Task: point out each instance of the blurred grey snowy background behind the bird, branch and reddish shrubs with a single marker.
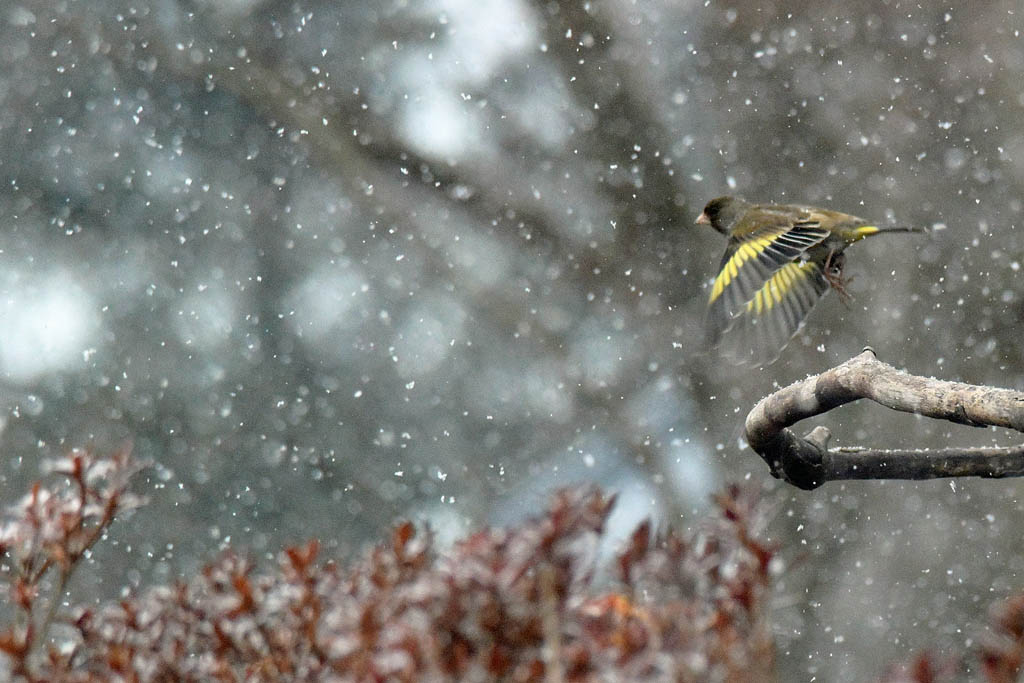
(334, 264)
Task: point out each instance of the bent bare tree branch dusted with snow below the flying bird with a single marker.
(808, 462)
